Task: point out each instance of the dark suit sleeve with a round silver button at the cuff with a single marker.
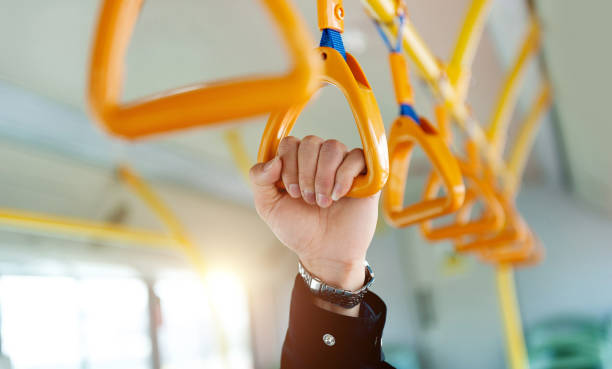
(356, 341)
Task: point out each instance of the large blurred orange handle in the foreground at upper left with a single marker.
(200, 104)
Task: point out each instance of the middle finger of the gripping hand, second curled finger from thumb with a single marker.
(308, 154)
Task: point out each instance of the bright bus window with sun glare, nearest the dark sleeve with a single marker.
(188, 333)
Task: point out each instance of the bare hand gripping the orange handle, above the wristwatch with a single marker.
(330, 233)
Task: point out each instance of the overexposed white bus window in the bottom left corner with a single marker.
(66, 323)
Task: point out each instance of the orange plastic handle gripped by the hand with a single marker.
(348, 76)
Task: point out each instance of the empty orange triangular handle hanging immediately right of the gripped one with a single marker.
(404, 135)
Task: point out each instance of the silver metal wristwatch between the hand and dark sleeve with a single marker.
(337, 296)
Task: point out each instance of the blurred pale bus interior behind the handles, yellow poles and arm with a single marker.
(69, 302)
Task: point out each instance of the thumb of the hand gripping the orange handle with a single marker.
(263, 178)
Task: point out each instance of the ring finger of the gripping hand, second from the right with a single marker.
(331, 154)
